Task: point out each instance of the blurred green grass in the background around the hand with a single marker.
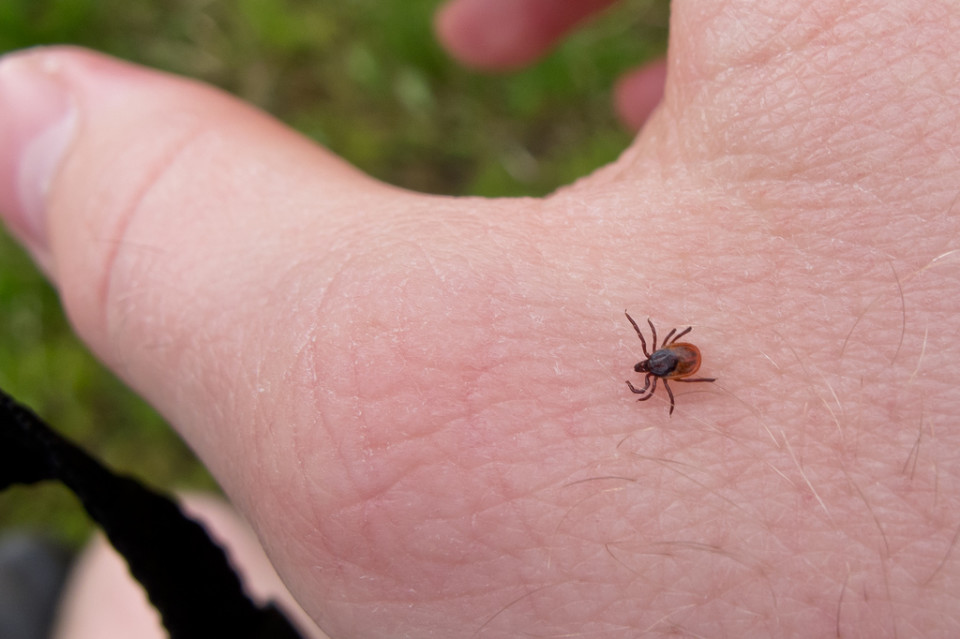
(366, 79)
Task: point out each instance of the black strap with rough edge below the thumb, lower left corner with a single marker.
(186, 575)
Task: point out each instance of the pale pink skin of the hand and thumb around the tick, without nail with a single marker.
(419, 402)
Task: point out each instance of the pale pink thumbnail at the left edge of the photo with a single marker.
(38, 117)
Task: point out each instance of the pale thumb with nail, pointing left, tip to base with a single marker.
(170, 217)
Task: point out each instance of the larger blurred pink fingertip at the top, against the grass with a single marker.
(505, 34)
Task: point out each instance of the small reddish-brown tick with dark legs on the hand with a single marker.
(674, 360)
